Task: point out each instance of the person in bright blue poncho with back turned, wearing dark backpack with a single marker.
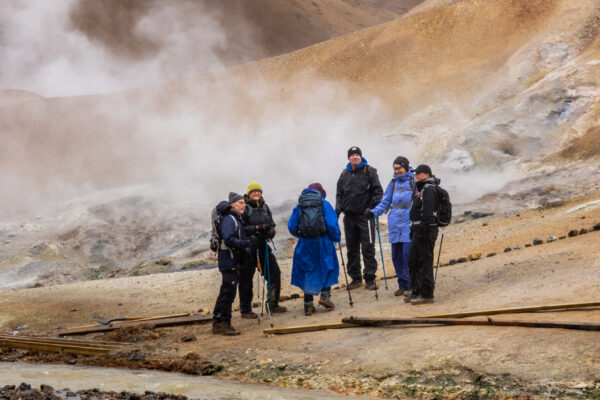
(315, 267)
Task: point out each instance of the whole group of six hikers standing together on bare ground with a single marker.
(245, 226)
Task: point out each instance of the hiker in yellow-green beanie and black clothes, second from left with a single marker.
(258, 223)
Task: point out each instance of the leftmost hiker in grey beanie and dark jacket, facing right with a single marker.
(232, 255)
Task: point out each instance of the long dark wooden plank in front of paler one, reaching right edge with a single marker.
(365, 321)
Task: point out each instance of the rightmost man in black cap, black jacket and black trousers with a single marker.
(423, 234)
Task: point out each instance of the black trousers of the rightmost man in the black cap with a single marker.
(420, 259)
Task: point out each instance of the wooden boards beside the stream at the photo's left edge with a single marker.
(55, 345)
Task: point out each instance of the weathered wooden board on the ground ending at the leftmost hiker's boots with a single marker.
(151, 323)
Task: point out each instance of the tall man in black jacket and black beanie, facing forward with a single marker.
(359, 190)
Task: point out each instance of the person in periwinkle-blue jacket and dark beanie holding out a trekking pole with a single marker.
(398, 200)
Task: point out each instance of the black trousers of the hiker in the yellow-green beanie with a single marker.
(247, 277)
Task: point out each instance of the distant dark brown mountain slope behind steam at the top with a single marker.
(254, 29)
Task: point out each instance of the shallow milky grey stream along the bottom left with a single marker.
(111, 379)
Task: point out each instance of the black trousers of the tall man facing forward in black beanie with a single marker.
(356, 229)
